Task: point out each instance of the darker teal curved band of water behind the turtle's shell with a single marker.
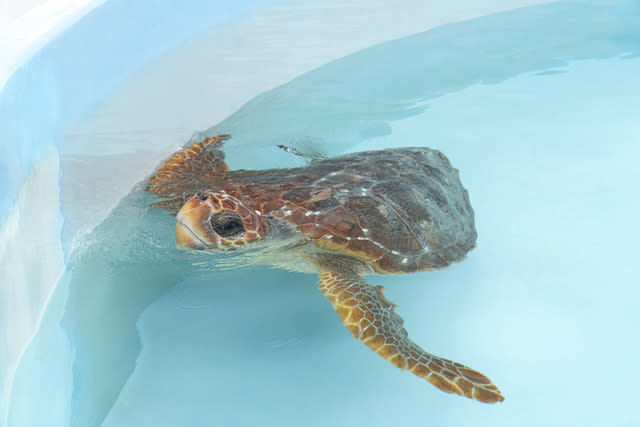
(357, 97)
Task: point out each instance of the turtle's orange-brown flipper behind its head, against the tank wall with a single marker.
(188, 171)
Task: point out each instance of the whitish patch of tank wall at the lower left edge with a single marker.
(38, 222)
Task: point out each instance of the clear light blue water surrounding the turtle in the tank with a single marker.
(538, 108)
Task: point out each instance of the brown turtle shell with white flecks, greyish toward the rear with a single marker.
(400, 210)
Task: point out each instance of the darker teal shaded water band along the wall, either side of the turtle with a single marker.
(130, 259)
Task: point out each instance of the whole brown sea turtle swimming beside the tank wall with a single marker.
(390, 211)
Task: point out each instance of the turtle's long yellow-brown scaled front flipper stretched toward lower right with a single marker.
(371, 318)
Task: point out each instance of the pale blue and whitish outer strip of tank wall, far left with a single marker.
(43, 97)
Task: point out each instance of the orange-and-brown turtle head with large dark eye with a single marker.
(215, 220)
